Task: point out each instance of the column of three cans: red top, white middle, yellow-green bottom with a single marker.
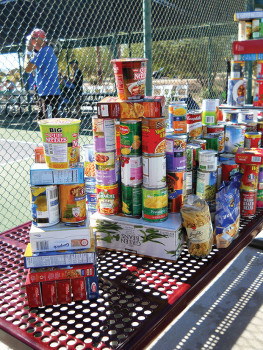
(154, 190)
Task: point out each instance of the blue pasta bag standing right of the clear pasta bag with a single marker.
(227, 212)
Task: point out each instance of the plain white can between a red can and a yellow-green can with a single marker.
(154, 170)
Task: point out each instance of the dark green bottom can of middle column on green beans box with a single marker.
(131, 200)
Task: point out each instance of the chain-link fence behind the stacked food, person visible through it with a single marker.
(191, 41)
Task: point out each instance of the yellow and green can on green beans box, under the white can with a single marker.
(155, 204)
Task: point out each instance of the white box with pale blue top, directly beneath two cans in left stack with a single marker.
(61, 237)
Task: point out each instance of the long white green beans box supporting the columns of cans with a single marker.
(160, 240)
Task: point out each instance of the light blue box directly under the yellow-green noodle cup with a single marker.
(40, 174)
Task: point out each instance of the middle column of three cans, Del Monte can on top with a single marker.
(131, 166)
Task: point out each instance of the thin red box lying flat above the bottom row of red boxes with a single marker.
(60, 273)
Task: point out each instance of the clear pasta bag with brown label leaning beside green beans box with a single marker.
(197, 222)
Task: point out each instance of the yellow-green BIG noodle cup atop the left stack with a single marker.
(60, 140)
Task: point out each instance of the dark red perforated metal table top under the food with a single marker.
(139, 296)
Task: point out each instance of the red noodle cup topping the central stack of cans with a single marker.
(130, 76)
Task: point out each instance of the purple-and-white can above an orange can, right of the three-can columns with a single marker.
(176, 152)
